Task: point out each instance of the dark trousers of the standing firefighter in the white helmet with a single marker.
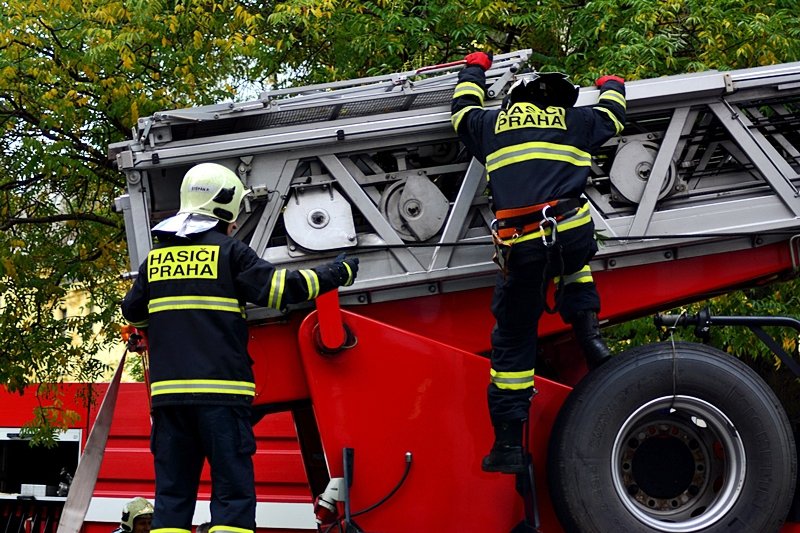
(183, 436)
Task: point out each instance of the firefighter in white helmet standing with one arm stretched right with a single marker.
(190, 296)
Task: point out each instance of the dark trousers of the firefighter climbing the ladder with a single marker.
(518, 304)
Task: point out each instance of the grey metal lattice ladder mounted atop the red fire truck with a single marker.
(373, 165)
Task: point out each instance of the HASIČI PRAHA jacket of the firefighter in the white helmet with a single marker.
(190, 294)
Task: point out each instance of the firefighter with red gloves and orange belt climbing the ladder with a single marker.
(537, 150)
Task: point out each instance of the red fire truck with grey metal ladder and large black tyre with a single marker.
(372, 399)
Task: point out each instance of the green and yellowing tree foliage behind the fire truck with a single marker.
(76, 76)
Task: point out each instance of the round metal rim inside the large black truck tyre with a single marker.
(678, 464)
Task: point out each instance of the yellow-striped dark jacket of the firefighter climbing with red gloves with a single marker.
(533, 154)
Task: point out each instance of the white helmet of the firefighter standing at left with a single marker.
(211, 189)
